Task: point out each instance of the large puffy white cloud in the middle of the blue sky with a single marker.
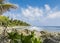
(32, 12)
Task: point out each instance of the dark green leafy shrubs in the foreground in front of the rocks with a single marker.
(15, 37)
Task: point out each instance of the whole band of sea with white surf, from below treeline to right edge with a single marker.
(41, 28)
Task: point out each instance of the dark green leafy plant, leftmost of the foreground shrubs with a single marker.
(13, 36)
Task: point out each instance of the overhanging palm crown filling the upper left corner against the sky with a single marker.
(4, 7)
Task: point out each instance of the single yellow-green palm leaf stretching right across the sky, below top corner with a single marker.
(6, 7)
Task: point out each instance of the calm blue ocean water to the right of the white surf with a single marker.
(50, 28)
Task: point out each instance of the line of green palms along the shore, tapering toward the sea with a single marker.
(5, 21)
